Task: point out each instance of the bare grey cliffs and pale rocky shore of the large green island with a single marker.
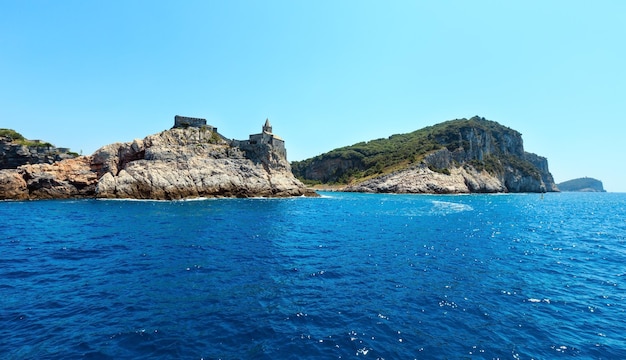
(486, 162)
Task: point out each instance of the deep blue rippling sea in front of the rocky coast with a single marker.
(343, 276)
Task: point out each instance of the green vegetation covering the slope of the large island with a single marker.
(373, 158)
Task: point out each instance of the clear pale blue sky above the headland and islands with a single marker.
(83, 74)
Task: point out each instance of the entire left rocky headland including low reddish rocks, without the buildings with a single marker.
(174, 164)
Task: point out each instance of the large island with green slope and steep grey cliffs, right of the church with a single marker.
(458, 156)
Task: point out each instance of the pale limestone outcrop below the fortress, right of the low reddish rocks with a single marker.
(182, 163)
